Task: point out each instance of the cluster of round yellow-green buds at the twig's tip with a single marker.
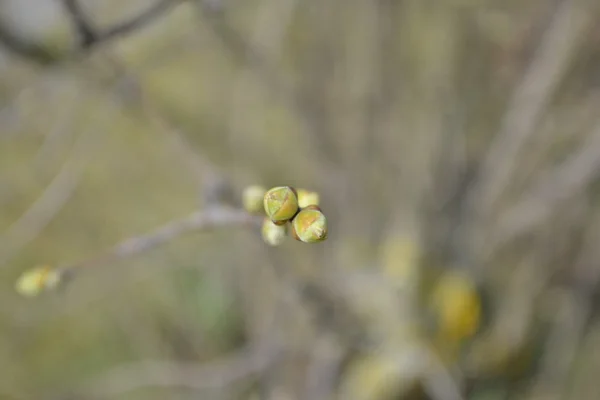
(287, 210)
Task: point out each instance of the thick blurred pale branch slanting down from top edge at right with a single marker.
(530, 98)
